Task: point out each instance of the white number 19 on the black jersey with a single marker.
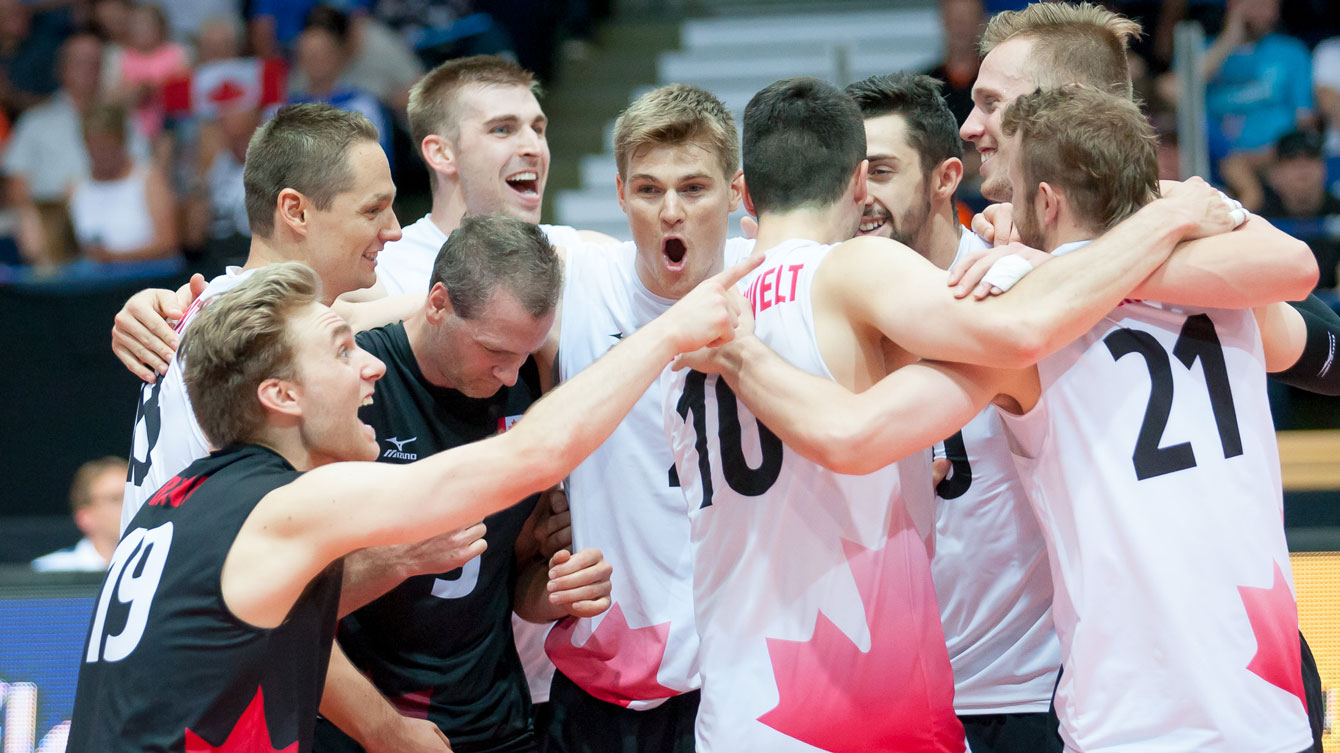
(137, 566)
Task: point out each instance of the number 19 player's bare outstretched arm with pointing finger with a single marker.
(298, 530)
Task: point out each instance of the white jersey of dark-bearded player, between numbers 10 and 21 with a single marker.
(991, 571)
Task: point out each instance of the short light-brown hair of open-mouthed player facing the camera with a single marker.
(677, 115)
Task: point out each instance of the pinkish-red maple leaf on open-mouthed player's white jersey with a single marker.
(617, 664)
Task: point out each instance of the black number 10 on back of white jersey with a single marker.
(730, 447)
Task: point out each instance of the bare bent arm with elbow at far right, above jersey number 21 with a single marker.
(1254, 266)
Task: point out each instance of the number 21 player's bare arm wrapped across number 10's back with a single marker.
(908, 411)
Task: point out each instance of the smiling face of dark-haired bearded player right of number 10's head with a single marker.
(898, 200)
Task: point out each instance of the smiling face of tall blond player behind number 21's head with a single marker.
(1002, 80)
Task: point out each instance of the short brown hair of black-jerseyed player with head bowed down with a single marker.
(492, 253)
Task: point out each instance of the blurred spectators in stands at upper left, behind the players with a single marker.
(124, 124)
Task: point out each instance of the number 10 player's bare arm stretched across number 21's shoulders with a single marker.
(907, 298)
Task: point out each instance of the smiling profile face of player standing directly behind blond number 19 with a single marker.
(345, 238)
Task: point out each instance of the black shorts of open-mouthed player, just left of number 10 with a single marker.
(578, 723)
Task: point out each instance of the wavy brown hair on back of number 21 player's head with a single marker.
(1097, 147)
